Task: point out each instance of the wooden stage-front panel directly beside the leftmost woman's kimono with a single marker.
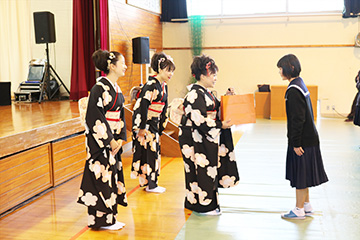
(69, 156)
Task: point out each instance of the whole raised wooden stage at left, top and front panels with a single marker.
(42, 145)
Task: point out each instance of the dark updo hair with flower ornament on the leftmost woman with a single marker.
(103, 58)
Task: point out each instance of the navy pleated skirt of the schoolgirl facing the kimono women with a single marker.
(307, 170)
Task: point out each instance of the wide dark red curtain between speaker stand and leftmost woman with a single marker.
(83, 69)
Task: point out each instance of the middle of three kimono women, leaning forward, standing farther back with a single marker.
(149, 120)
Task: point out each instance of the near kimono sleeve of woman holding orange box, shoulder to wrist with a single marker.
(196, 111)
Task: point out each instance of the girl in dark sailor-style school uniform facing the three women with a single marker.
(304, 165)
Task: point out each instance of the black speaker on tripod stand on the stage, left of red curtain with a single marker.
(44, 25)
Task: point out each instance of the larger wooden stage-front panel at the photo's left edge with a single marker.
(24, 175)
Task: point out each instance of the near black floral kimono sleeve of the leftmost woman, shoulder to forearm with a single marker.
(95, 120)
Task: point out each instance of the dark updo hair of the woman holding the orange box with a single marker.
(204, 65)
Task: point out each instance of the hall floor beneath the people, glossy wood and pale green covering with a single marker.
(250, 211)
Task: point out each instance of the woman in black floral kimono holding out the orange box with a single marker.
(205, 142)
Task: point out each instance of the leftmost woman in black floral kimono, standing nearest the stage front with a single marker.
(102, 187)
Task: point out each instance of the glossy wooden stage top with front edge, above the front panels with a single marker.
(26, 125)
